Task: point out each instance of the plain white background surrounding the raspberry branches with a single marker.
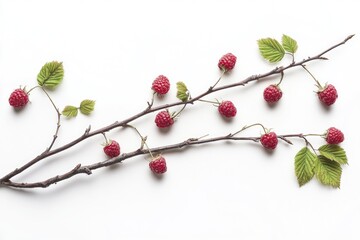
(112, 51)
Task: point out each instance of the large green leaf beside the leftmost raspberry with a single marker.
(51, 74)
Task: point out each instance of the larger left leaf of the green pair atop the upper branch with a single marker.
(271, 49)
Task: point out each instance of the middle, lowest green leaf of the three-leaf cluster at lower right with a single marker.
(328, 172)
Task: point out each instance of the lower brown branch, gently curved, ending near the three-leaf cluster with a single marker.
(78, 169)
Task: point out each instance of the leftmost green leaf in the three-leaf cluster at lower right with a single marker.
(304, 165)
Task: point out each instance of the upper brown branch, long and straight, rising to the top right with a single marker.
(150, 109)
